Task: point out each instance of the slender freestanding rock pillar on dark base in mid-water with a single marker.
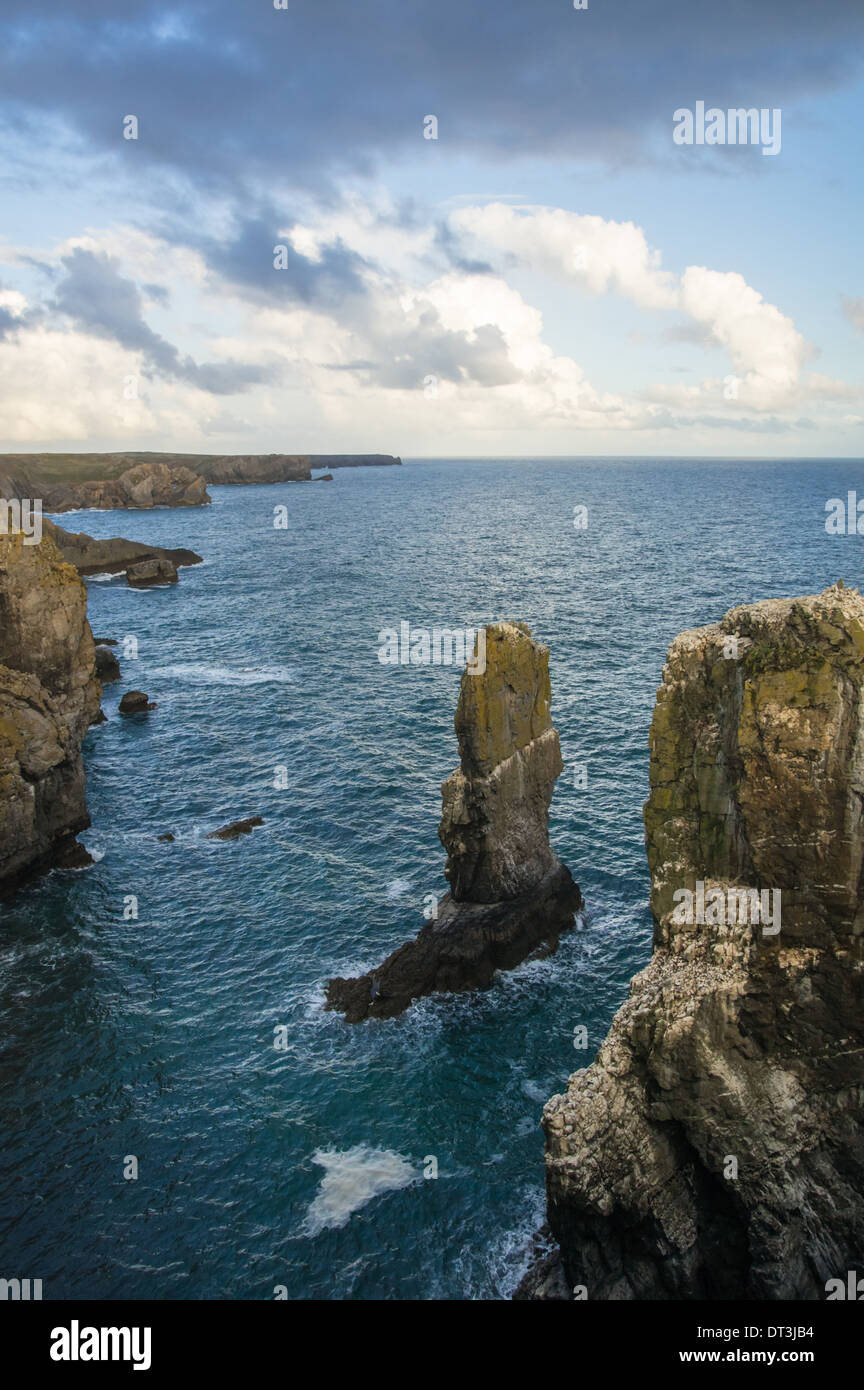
(510, 896)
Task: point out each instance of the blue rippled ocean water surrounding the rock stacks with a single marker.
(155, 1038)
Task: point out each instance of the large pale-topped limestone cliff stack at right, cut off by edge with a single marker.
(716, 1146)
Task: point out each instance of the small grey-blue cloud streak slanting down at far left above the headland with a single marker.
(103, 302)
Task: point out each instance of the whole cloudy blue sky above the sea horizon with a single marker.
(452, 229)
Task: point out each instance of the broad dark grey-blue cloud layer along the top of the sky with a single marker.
(235, 94)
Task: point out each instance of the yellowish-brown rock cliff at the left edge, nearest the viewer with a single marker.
(49, 697)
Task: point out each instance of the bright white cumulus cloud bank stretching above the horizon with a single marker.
(440, 351)
